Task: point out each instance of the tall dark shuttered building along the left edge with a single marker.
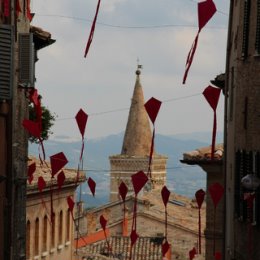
(16, 58)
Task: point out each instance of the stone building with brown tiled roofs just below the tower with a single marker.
(182, 228)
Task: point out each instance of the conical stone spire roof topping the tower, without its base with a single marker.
(138, 135)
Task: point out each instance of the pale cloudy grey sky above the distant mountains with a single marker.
(156, 33)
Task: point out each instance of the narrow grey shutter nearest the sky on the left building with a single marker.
(27, 61)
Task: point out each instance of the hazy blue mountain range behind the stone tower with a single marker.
(181, 178)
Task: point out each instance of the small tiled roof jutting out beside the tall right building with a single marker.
(203, 155)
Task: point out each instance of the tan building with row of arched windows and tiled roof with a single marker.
(48, 238)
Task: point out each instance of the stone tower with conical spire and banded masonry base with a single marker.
(135, 152)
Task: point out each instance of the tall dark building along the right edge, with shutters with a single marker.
(242, 132)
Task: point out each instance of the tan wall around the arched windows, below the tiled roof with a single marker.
(38, 206)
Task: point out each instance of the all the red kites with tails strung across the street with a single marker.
(206, 10)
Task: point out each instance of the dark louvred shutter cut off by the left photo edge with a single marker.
(6, 54)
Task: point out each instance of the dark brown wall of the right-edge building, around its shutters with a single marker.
(243, 123)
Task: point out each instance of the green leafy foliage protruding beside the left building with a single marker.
(47, 122)
